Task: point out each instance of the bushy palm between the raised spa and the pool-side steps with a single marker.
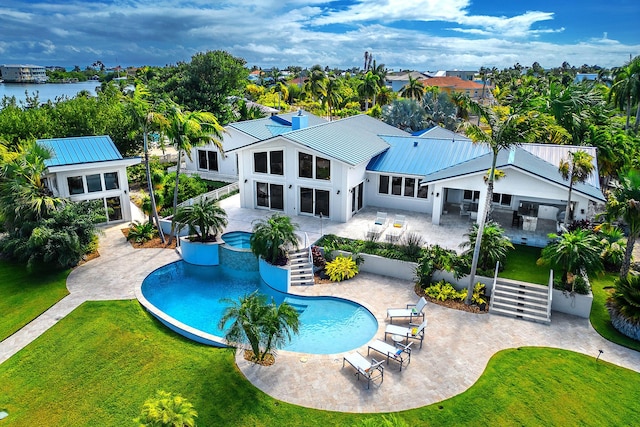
(272, 237)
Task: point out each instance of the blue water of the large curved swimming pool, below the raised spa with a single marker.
(192, 294)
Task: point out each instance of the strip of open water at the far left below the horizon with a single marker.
(47, 91)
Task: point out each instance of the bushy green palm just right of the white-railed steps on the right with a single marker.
(572, 252)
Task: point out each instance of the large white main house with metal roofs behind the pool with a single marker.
(334, 169)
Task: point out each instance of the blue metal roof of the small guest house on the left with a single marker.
(78, 150)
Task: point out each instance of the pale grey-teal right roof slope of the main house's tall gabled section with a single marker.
(352, 140)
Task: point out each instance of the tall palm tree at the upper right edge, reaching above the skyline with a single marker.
(626, 88)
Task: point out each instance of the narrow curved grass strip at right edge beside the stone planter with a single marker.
(600, 320)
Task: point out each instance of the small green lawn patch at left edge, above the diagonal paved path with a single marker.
(24, 296)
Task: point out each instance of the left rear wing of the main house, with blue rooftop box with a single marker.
(209, 163)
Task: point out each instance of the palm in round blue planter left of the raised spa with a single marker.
(205, 220)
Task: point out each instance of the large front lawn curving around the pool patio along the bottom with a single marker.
(98, 365)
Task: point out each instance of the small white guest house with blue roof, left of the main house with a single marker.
(90, 168)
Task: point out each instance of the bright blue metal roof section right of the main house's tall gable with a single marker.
(417, 155)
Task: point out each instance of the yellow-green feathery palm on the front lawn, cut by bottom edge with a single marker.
(167, 410)
